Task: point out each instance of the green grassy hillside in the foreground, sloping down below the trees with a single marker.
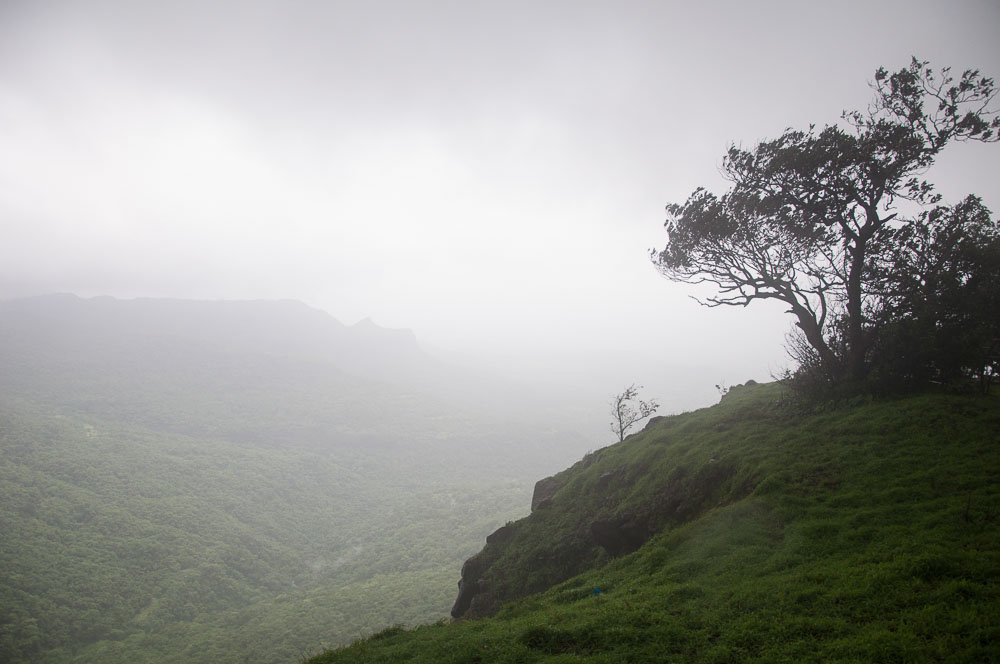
(871, 534)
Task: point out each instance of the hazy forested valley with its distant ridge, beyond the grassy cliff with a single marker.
(207, 482)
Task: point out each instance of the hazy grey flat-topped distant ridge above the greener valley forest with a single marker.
(184, 366)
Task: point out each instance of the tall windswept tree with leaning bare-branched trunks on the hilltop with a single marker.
(812, 216)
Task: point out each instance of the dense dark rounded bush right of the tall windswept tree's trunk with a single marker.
(940, 315)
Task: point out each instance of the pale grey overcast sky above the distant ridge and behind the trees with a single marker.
(488, 174)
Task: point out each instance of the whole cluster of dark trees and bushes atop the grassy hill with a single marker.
(890, 289)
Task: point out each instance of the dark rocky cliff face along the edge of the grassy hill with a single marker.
(604, 506)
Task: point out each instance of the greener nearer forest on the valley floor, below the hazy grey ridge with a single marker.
(122, 544)
